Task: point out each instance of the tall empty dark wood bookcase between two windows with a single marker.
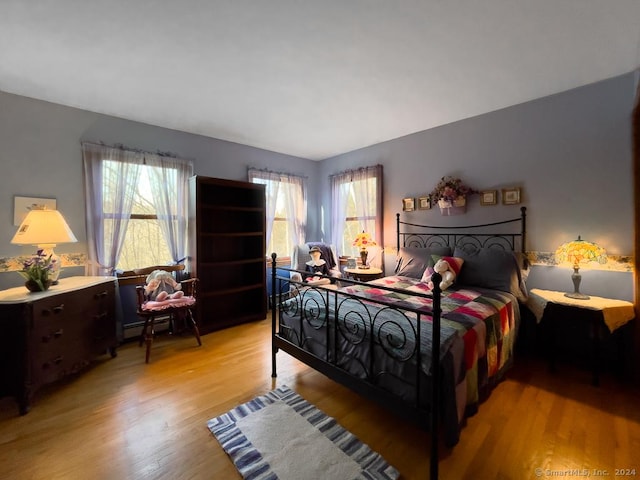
(227, 235)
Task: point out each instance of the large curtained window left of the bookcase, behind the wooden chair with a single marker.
(136, 208)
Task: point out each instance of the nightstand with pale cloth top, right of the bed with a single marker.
(597, 317)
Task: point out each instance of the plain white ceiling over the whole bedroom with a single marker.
(310, 78)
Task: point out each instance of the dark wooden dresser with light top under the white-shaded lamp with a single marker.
(46, 336)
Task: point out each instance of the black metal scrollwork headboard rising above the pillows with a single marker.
(465, 237)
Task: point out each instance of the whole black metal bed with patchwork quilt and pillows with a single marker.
(376, 337)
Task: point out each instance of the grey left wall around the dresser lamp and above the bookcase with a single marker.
(40, 153)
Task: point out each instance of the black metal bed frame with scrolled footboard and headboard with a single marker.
(408, 235)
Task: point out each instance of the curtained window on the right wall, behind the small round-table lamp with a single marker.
(356, 207)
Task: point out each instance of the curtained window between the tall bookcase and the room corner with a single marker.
(286, 210)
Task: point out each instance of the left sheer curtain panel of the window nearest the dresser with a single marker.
(115, 197)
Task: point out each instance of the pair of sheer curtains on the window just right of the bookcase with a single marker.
(295, 196)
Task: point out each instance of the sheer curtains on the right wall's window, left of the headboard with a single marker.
(368, 201)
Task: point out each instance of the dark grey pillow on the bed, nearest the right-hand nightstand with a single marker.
(496, 269)
